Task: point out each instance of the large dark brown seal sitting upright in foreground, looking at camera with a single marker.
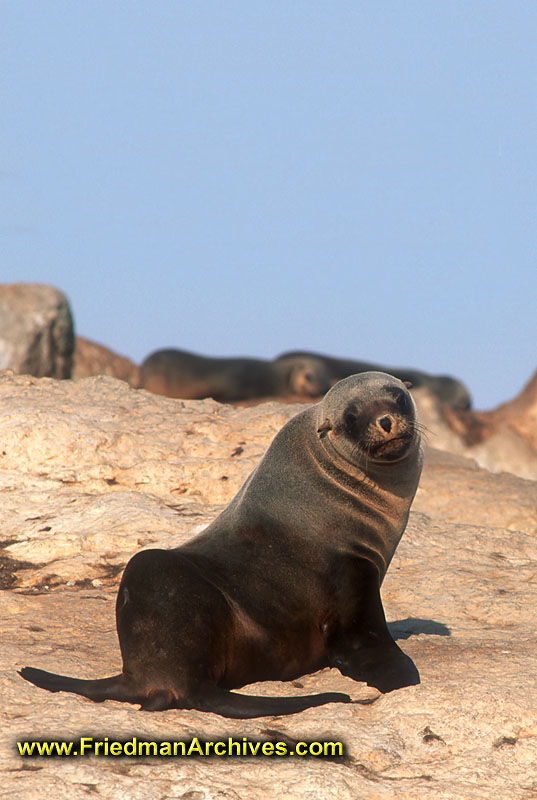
(287, 579)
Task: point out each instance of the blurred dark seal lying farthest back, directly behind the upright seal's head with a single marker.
(448, 390)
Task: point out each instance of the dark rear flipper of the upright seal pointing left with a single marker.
(117, 687)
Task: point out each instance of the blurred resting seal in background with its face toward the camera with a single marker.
(178, 373)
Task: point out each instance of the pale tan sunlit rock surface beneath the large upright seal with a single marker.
(91, 471)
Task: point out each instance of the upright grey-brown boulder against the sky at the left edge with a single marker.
(36, 330)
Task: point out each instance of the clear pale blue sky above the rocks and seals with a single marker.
(243, 178)
